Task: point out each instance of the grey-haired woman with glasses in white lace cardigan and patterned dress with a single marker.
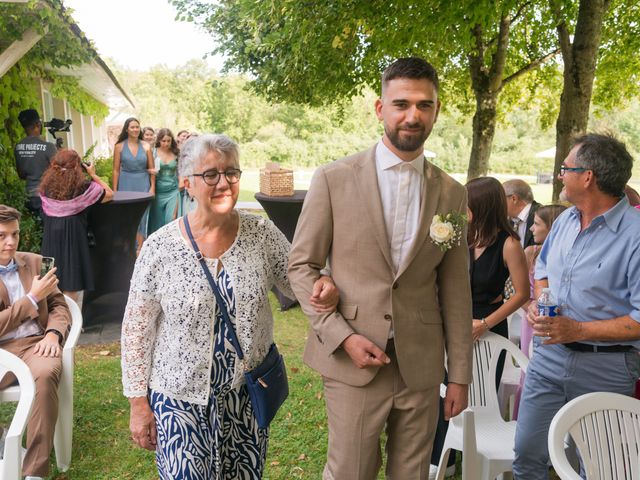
(180, 370)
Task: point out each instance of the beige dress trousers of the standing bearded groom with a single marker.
(358, 415)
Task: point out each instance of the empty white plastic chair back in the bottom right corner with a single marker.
(606, 430)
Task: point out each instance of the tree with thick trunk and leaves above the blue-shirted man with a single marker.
(599, 41)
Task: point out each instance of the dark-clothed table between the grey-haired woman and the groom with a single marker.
(284, 213)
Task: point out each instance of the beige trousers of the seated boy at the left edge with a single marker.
(46, 374)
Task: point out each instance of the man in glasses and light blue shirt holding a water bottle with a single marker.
(591, 263)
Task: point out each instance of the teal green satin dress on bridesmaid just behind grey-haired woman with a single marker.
(166, 206)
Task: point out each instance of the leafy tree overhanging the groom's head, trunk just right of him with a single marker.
(315, 53)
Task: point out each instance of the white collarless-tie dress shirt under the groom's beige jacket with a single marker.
(400, 184)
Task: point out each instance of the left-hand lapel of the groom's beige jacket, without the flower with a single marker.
(367, 182)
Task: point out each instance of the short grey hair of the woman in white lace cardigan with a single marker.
(196, 148)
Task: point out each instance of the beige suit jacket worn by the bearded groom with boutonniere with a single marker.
(427, 302)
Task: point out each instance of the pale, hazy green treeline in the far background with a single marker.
(304, 136)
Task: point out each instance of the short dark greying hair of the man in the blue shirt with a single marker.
(608, 159)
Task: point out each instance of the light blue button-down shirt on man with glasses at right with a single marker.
(594, 274)
